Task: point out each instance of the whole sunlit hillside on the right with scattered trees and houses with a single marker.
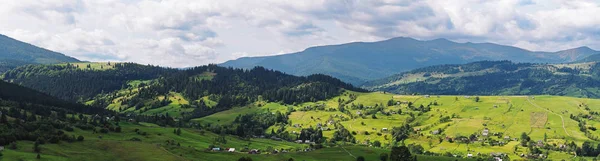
(432, 125)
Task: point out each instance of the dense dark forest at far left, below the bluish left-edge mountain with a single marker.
(70, 82)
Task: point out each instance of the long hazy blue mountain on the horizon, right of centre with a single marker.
(359, 62)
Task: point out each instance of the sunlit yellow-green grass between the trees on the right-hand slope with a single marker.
(510, 116)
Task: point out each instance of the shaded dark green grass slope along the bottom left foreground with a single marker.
(192, 146)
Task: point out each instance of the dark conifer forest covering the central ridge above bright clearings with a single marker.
(231, 87)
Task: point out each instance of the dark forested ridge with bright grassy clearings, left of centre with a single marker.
(193, 92)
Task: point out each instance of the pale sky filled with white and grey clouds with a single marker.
(184, 33)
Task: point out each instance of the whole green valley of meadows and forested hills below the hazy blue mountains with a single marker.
(483, 110)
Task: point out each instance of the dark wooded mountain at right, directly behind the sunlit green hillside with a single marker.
(496, 78)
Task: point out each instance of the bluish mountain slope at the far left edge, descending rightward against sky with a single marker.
(15, 53)
